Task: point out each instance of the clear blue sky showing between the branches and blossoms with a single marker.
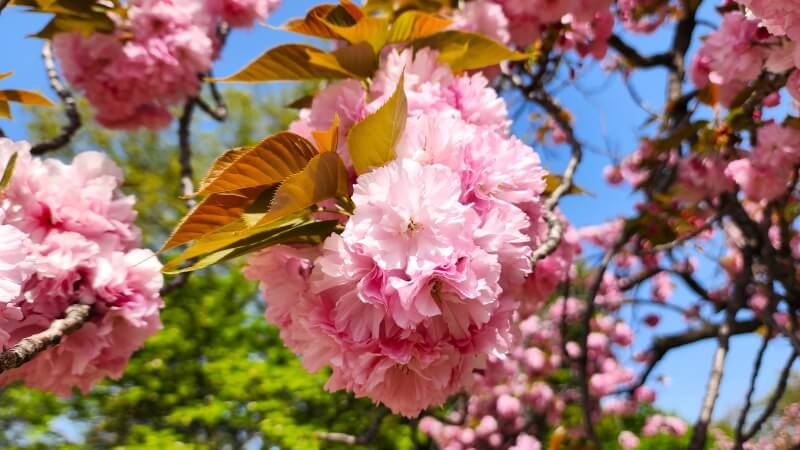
(607, 120)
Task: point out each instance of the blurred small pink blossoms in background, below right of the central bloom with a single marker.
(516, 401)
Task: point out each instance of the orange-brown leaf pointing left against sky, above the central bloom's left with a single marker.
(290, 62)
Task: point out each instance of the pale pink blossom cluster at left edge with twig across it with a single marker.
(68, 238)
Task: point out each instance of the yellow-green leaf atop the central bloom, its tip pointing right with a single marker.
(468, 51)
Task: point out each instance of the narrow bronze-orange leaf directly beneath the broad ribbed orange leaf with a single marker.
(213, 213)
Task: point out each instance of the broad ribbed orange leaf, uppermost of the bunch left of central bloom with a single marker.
(269, 162)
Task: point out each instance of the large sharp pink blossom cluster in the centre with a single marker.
(422, 283)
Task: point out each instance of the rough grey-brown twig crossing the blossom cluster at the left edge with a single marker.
(25, 350)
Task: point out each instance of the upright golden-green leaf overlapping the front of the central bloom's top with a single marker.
(372, 141)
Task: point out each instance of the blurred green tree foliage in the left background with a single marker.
(217, 376)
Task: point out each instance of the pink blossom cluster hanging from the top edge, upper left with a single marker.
(154, 59)
